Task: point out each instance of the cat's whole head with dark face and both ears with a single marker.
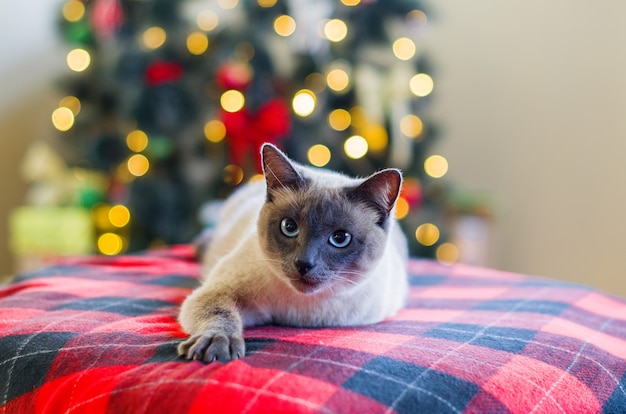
(322, 231)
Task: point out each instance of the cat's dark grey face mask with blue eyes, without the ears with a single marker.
(320, 239)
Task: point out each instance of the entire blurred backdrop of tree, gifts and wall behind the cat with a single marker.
(508, 120)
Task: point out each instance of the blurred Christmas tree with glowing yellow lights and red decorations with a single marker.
(170, 100)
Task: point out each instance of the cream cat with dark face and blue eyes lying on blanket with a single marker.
(305, 247)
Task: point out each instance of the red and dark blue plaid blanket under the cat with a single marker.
(99, 334)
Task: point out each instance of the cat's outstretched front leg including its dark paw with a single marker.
(214, 323)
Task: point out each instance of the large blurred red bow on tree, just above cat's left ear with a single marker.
(248, 131)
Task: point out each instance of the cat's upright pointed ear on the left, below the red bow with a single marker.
(279, 170)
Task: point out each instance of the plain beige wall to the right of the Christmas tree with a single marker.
(532, 99)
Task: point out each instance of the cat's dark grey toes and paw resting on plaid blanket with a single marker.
(209, 347)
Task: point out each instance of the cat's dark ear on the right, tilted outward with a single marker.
(380, 190)
